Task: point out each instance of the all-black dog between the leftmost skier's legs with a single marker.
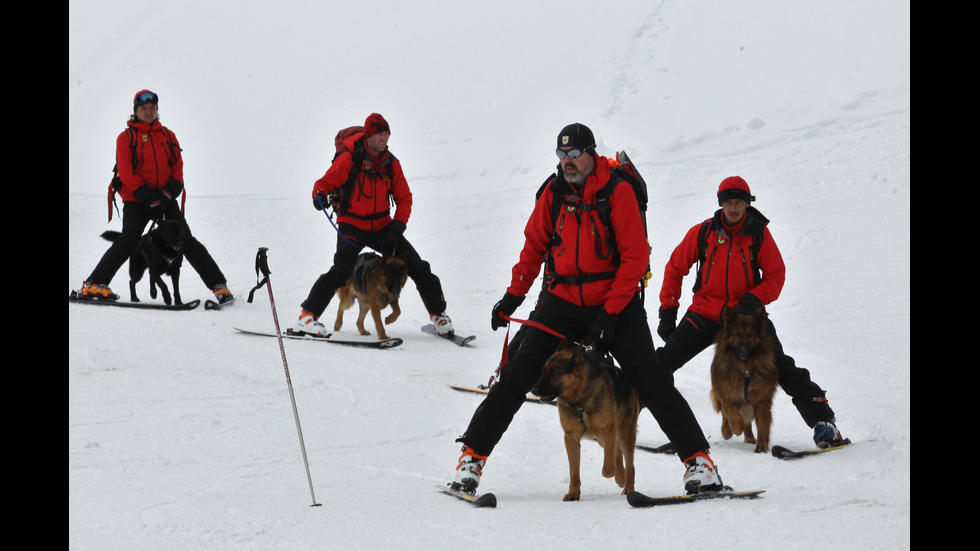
(161, 251)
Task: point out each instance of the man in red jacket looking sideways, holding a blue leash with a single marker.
(366, 221)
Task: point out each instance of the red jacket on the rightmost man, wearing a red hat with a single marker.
(727, 272)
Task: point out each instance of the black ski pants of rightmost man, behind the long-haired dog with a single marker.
(695, 332)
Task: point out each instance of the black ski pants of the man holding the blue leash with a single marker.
(350, 242)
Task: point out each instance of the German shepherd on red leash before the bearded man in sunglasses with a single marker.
(593, 400)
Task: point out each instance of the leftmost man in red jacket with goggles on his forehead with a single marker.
(151, 169)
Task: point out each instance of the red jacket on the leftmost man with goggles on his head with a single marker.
(157, 158)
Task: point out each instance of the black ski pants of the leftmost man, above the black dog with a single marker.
(135, 218)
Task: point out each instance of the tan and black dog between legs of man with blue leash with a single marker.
(376, 284)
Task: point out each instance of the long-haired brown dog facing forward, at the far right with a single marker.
(744, 377)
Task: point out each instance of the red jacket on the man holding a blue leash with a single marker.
(369, 207)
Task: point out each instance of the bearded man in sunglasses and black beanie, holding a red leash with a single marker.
(593, 296)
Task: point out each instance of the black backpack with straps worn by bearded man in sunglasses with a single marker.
(622, 169)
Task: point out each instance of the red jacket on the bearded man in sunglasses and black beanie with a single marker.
(580, 233)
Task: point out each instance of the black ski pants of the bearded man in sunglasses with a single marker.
(633, 350)
